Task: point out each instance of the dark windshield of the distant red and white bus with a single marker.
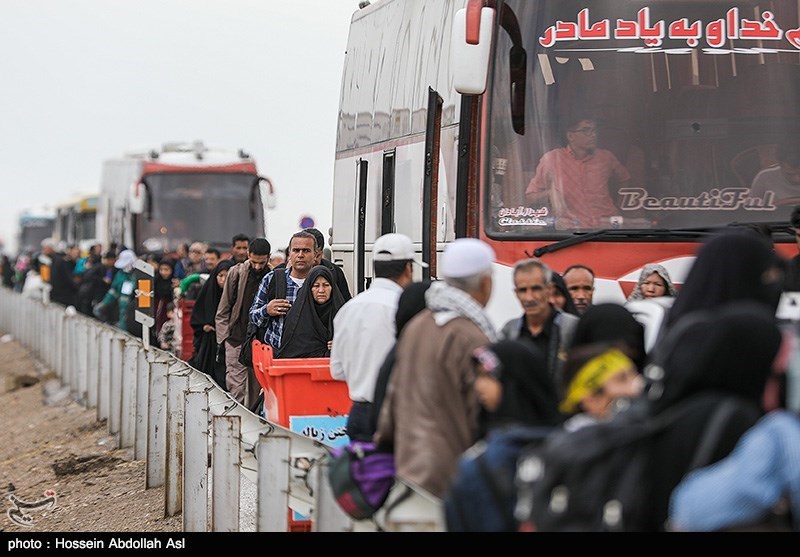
(206, 207)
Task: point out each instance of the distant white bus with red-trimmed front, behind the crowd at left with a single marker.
(183, 192)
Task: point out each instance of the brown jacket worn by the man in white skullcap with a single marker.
(430, 414)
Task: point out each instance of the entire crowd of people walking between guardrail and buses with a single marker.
(430, 375)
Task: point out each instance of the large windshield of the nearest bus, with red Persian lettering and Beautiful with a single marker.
(642, 115)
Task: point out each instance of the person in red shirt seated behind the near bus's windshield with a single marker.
(573, 181)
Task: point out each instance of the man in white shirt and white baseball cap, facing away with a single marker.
(364, 328)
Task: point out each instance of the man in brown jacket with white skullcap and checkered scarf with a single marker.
(430, 414)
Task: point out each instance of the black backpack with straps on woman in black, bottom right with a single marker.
(595, 479)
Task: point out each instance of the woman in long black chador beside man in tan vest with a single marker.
(206, 350)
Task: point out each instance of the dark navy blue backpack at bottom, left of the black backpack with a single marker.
(483, 494)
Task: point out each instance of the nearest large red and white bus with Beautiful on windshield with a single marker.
(448, 106)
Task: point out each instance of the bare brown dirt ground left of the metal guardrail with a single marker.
(59, 469)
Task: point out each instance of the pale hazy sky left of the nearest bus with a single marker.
(86, 80)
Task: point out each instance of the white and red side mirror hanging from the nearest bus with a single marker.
(471, 41)
